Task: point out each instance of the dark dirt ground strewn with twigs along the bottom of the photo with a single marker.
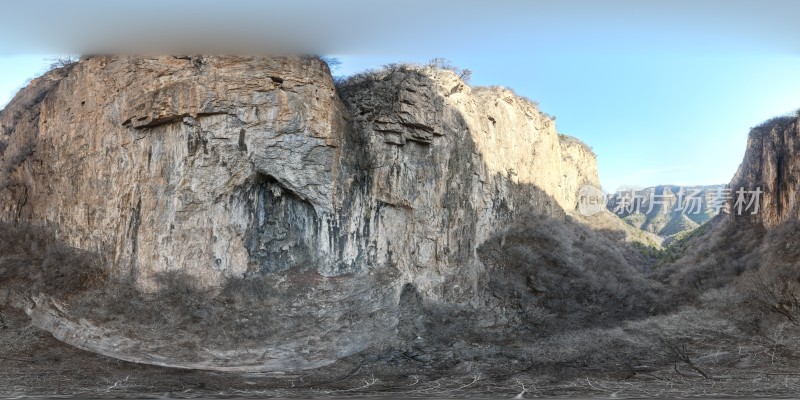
(33, 363)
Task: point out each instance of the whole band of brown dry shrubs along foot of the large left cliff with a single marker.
(243, 310)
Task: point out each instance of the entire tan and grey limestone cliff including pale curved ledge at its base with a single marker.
(231, 167)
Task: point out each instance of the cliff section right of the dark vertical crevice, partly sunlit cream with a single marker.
(450, 166)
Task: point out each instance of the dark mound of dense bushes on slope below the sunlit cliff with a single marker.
(558, 274)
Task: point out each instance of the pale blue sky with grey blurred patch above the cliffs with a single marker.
(664, 93)
